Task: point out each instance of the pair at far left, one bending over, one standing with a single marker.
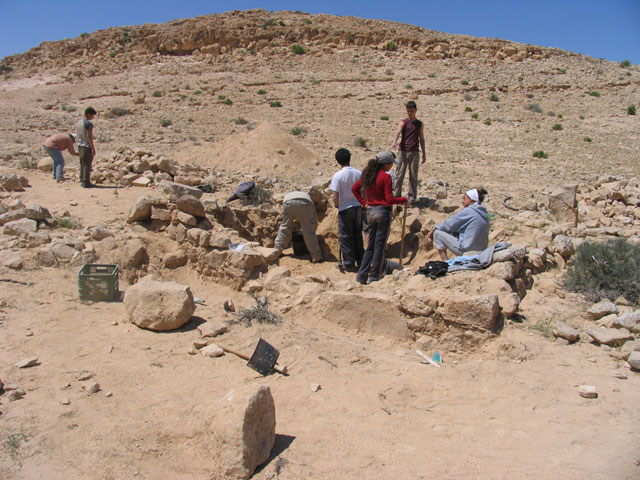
(83, 136)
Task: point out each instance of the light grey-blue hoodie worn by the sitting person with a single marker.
(471, 225)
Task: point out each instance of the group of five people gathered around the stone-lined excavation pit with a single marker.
(373, 191)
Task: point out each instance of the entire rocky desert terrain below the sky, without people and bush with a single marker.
(91, 390)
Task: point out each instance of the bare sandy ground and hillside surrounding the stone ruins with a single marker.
(505, 407)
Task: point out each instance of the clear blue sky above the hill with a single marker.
(607, 29)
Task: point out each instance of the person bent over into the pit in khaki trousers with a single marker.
(299, 206)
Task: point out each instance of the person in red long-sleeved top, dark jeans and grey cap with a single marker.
(378, 199)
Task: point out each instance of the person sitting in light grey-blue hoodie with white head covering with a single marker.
(467, 230)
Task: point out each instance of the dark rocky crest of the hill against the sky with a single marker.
(272, 33)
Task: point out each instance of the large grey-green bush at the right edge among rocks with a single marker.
(606, 271)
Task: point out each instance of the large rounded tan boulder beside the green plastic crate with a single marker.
(159, 305)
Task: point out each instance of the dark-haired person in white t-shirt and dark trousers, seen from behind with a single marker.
(349, 212)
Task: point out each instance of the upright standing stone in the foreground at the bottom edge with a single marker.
(243, 429)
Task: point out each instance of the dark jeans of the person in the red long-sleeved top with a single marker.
(372, 266)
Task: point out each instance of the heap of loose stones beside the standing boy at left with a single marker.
(144, 169)
